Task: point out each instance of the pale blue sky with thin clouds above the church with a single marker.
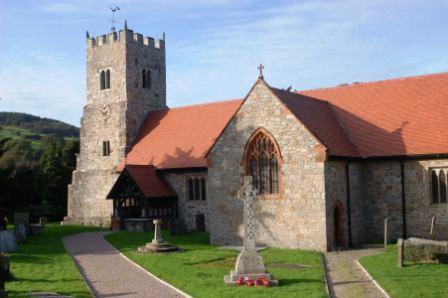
(214, 46)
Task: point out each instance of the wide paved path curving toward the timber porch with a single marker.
(108, 273)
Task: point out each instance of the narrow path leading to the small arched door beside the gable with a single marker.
(346, 279)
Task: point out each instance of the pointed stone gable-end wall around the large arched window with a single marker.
(294, 219)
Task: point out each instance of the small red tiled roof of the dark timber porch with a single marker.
(149, 182)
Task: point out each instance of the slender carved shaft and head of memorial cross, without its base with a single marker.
(248, 195)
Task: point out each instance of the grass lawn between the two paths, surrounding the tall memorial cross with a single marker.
(200, 269)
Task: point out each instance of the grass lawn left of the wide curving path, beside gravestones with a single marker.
(42, 264)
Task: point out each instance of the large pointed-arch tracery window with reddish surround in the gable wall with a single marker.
(262, 162)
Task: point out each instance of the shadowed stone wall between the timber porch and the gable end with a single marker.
(188, 209)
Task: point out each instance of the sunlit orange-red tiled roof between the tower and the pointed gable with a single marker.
(180, 137)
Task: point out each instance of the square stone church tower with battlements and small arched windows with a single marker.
(126, 79)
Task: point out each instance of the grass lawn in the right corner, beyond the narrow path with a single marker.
(413, 280)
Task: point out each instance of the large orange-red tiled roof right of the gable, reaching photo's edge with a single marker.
(405, 116)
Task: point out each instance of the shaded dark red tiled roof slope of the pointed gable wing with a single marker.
(318, 117)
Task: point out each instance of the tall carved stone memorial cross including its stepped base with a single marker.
(249, 263)
